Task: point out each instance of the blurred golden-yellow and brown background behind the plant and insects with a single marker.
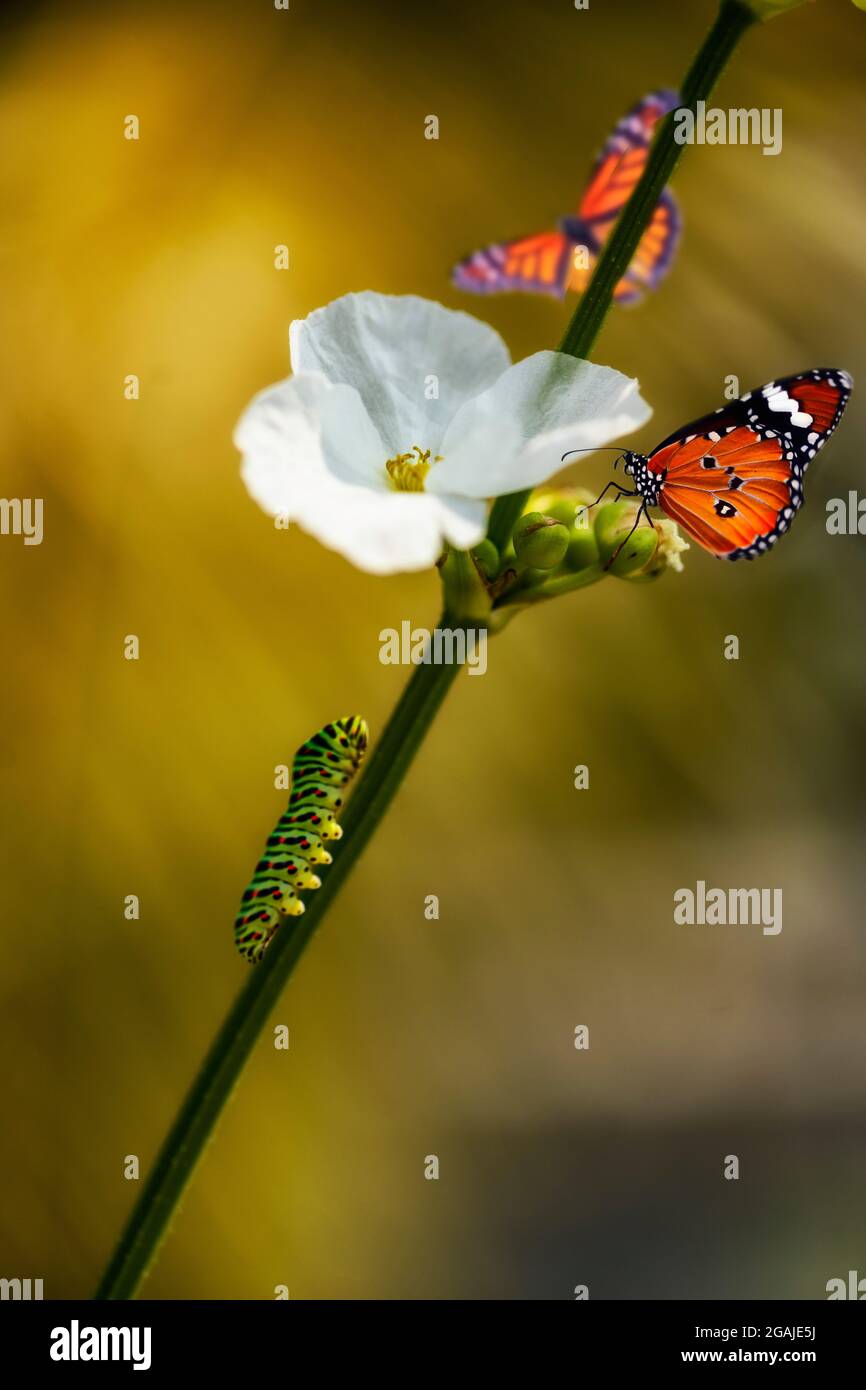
(155, 778)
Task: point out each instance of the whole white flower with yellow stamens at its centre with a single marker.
(404, 418)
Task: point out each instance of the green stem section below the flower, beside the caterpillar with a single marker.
(236, 1040)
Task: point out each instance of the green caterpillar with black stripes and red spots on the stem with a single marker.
(320, 772)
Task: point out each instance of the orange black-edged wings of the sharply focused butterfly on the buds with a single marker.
(735, 480)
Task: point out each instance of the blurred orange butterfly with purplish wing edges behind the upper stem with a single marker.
(557, 262)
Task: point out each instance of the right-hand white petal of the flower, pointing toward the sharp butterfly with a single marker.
(514, 436)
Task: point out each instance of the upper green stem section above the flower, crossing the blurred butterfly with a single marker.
(587, 322)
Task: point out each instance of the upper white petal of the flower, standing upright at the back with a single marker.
(397, 351)
